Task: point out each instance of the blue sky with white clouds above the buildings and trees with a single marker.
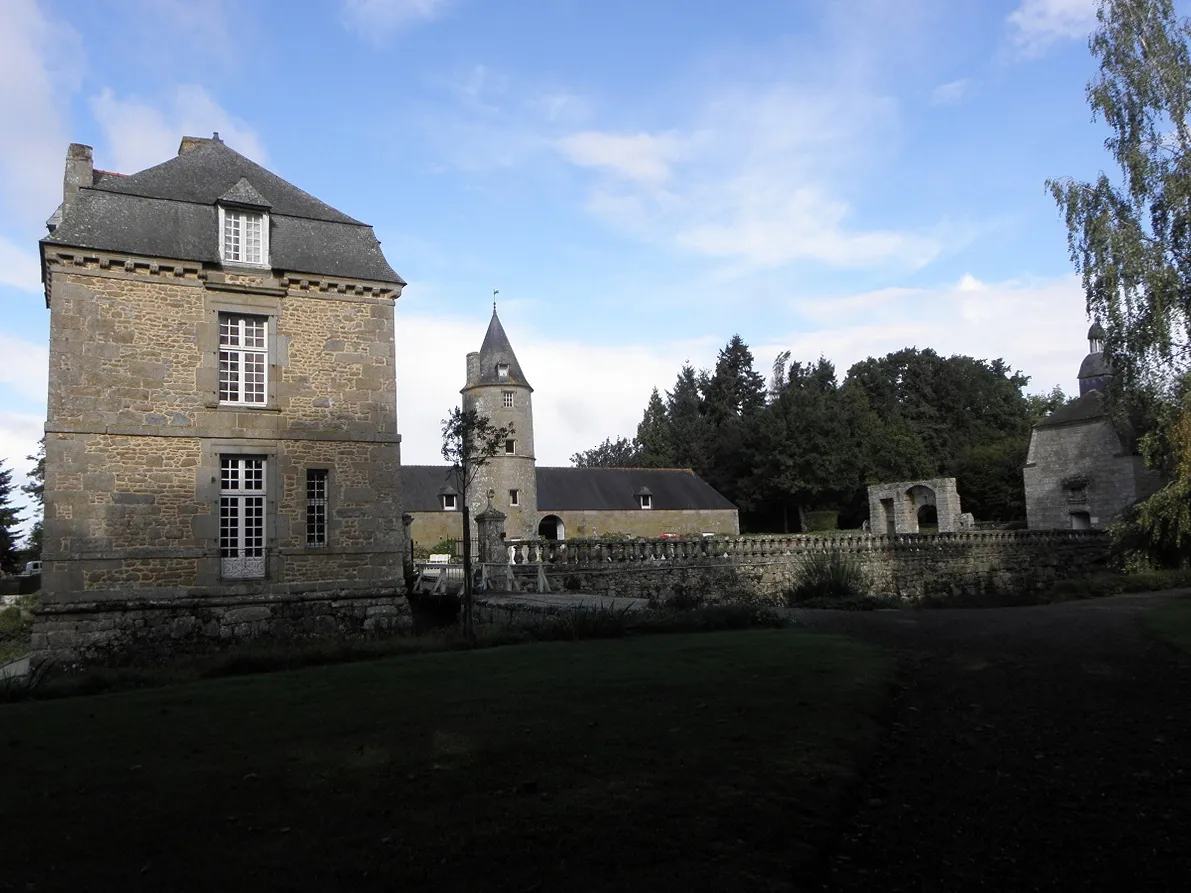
(640, 179)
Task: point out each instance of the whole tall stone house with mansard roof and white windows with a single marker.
(222, 446)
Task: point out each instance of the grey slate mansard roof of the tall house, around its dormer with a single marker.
(170, 211)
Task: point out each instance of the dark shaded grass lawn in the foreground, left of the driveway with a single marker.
(714, 761)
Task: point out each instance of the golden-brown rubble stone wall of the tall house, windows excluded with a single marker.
(136, 432)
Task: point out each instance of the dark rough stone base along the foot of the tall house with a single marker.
(146, 633)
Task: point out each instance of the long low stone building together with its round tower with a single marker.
(553, 503)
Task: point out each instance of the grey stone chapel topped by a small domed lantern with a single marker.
(1083, 470)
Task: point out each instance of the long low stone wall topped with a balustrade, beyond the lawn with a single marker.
(912, 567)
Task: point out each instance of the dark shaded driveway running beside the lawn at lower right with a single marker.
(1031, 748)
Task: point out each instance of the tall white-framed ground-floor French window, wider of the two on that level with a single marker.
(242, 517)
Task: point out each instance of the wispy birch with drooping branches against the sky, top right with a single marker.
(1131, 239)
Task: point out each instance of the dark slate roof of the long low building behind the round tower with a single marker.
(601, 490)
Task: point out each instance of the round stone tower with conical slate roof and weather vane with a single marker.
(497, 389)
